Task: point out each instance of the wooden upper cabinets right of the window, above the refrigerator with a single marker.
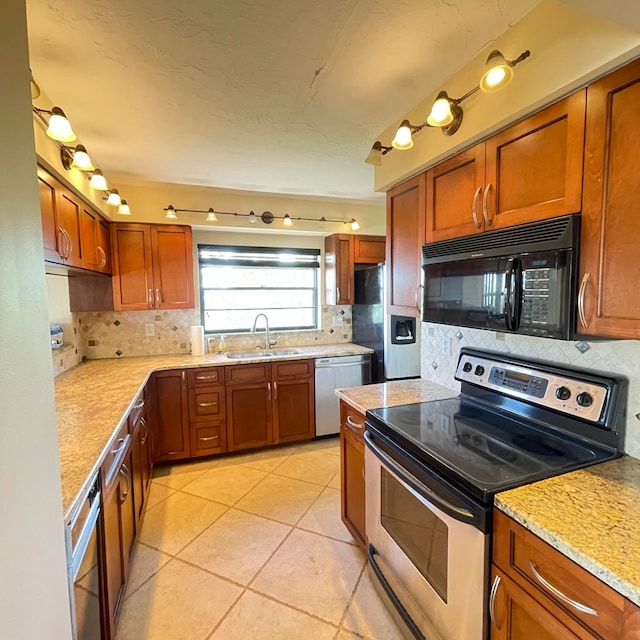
(341, 254)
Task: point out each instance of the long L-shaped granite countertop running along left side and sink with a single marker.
(94, 398)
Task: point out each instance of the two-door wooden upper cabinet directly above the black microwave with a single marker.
(528, 172)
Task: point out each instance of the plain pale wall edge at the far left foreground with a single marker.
(33, 591)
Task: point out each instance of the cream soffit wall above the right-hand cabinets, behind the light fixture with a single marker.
(569, 48)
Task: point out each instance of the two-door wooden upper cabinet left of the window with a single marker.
(152, 267)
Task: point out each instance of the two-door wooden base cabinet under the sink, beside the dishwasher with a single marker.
(269, 403)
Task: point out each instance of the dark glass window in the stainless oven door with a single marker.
(421, 535)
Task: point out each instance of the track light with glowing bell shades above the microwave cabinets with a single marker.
(446, 113)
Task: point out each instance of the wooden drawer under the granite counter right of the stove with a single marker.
(558, 583)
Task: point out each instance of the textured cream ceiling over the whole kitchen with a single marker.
(282, 97)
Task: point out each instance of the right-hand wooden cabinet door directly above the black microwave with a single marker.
(534, 168)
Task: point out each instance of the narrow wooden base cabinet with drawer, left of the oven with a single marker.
(352, 476)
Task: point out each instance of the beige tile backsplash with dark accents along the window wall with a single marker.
(115, 334)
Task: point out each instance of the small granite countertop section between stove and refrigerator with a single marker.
(394, 393)
